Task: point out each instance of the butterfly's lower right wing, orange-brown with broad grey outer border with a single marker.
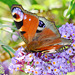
(48, 39)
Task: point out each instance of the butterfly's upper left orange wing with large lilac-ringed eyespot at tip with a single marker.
(25, 22)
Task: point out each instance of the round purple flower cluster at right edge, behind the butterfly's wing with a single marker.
(67, 31)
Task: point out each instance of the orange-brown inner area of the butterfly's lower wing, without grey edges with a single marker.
(45, 41)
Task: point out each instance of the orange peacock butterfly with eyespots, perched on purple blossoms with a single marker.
(39, 34)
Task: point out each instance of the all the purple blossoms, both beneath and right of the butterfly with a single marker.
(46, 64)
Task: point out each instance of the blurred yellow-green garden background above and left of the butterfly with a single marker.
(58, 11)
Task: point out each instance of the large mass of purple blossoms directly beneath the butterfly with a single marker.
(57, 63)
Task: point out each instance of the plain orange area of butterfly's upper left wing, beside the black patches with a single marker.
(29, 26)
